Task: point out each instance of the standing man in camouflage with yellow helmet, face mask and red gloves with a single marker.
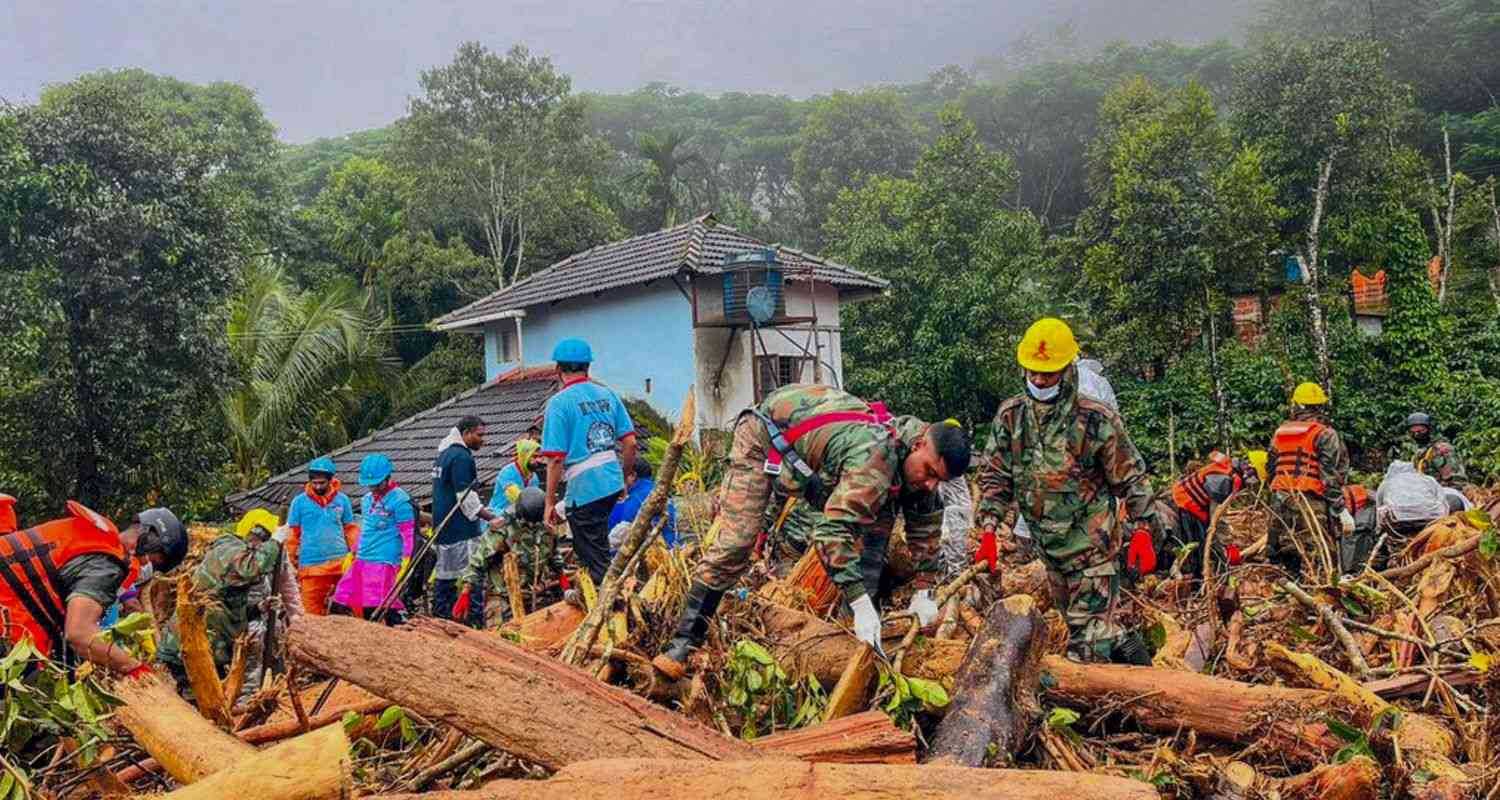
(1060, 457)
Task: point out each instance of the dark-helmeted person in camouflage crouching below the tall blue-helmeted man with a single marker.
(520, 531)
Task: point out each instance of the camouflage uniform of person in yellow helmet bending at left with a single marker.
(232, 576)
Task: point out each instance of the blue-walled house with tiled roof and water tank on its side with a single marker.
(698, 304)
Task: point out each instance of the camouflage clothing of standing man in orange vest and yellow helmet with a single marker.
(1288, 535)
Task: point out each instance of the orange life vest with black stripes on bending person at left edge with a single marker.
(32, 606)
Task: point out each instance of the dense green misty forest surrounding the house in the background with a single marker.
(193, 305)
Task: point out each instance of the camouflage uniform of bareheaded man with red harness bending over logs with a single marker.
(860, 466)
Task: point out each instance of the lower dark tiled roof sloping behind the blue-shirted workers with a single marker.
(509, 406)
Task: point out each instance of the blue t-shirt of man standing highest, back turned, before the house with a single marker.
(583, 424)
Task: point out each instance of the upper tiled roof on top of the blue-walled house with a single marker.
(697, 248)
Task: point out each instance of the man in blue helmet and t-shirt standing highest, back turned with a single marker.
(590, 444)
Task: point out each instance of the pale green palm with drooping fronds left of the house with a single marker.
(305, 359)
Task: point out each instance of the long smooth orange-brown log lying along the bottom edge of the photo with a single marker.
(617, 780)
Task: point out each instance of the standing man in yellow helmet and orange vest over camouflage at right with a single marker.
(1309, 471)
